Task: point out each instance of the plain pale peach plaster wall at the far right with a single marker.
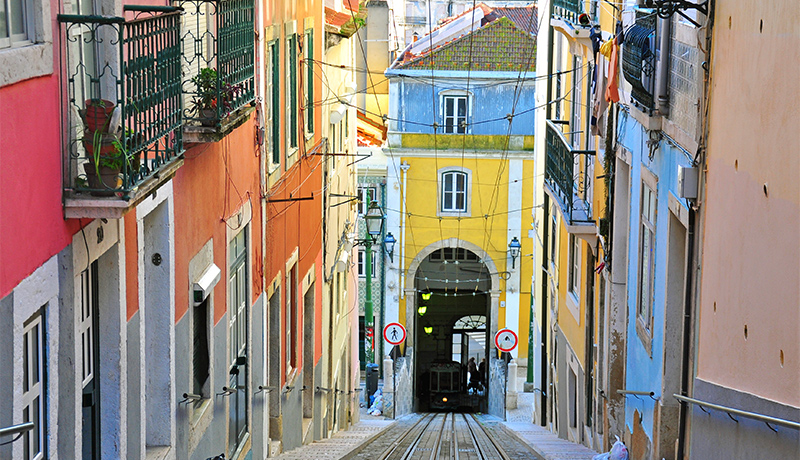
(752, 234)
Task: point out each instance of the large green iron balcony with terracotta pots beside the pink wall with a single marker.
(122, 108)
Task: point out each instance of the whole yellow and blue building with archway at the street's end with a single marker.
(460, 202)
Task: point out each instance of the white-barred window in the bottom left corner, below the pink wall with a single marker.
(32, 400)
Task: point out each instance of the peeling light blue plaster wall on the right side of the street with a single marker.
(643, 369)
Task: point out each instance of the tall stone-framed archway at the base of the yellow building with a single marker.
(448, 281)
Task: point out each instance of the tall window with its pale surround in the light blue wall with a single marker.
(648, 207)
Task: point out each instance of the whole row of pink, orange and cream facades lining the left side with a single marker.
(174, 290)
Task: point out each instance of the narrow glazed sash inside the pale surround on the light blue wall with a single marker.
(646, 254)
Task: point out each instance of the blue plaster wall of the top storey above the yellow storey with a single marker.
(417, 104)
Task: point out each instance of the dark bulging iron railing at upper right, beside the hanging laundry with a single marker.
(639, 59)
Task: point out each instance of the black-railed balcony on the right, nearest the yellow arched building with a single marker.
(566, 180)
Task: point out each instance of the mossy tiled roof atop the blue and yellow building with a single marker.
(497, 46)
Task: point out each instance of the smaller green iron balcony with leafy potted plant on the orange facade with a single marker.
(218, 64)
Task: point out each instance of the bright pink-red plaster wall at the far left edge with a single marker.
(32, 228)
